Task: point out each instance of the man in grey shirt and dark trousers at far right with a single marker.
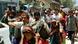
(71, 26)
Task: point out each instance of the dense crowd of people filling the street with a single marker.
(46, 26)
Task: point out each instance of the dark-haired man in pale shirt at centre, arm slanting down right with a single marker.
(38, 22)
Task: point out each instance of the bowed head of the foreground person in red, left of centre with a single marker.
(28, 32)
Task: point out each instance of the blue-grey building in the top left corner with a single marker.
(7, 3)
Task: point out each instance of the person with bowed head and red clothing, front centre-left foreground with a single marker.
(27, 36)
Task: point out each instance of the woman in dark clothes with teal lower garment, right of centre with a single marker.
(55, 35)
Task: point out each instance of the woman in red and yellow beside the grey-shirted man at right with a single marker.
(63, 32)
